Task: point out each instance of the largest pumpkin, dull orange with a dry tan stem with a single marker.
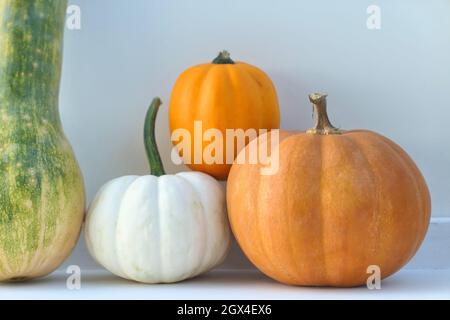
(341, 201)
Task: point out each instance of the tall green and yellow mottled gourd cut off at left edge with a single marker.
(41, 189)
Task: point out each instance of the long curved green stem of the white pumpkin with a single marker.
(154, 159)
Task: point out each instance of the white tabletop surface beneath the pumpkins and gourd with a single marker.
(236, 285)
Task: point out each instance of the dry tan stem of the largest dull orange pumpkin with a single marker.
(322, 123)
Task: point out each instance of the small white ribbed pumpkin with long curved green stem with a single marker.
(159, 229)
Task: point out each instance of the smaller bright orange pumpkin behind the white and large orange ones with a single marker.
(222, 95)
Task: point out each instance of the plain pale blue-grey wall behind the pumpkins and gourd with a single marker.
(395, 80)
